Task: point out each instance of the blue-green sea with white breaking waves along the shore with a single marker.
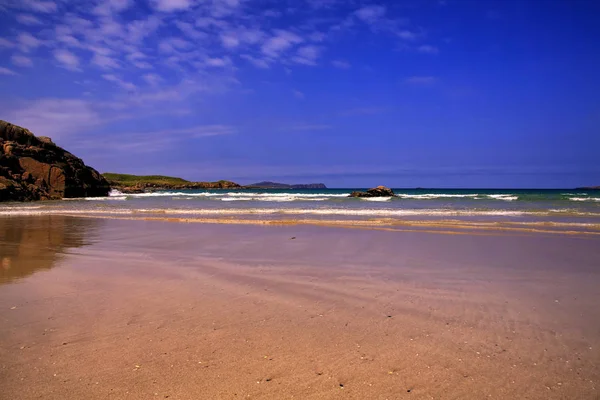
(566, 208)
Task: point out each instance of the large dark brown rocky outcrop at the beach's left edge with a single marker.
(34, 168)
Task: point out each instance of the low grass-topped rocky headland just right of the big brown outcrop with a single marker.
(147, 183)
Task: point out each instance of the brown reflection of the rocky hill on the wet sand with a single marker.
(28, 245)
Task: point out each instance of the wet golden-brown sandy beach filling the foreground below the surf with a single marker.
(145, 309)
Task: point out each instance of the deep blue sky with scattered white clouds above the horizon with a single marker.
(351, 93)
